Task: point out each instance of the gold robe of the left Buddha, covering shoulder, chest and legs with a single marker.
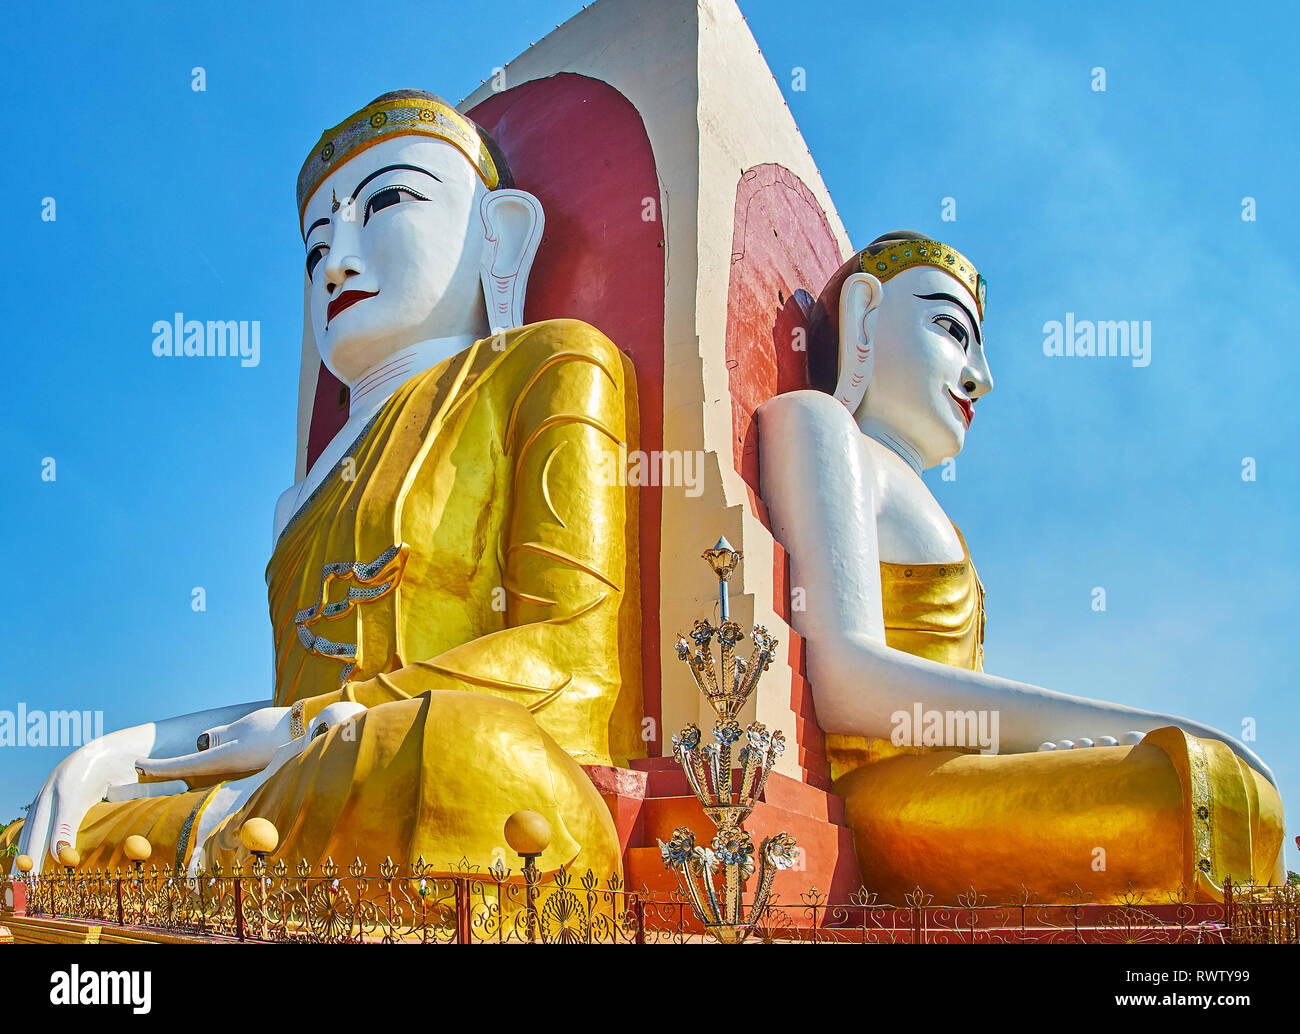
(467, 573)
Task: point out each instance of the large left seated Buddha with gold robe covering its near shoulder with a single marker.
(453, 590)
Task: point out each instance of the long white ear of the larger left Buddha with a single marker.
(513, 230)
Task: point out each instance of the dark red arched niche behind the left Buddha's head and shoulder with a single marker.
(580, 148)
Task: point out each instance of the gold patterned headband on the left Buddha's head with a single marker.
(393, 118)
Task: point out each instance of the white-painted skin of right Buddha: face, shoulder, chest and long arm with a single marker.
(843, 501)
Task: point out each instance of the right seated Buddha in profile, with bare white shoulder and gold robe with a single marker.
(1068, 793)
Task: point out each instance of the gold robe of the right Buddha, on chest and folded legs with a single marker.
(1172, 812)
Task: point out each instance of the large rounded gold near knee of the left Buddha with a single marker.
(431, 778)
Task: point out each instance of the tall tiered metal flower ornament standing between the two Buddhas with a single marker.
(714, 877)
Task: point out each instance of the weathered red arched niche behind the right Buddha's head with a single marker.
(783, 254)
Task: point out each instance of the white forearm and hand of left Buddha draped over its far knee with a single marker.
(248, 732)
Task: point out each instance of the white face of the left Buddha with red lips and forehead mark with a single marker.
(395, 241)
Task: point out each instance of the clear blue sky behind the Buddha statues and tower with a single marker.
(1124, 205)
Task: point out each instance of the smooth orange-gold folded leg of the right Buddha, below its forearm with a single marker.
(1100, 820)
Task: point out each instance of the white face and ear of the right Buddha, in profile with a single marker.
(929, 365)
